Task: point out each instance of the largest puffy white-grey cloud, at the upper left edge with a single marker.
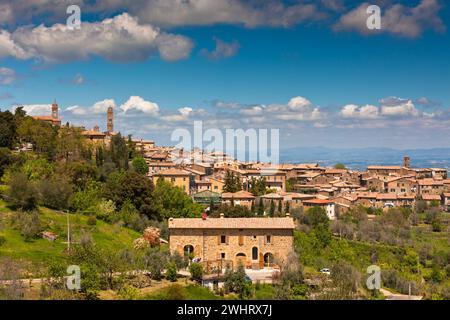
(121, 39)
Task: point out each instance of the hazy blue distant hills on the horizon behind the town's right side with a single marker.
(361, 158)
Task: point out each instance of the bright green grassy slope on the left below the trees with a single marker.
(41, 251)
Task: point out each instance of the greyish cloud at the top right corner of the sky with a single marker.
(396, 19)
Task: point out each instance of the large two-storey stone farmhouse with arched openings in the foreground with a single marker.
(256, 243)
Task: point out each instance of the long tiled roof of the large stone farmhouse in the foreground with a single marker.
(232, 223)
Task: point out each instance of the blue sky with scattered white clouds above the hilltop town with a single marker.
(311, 69)
